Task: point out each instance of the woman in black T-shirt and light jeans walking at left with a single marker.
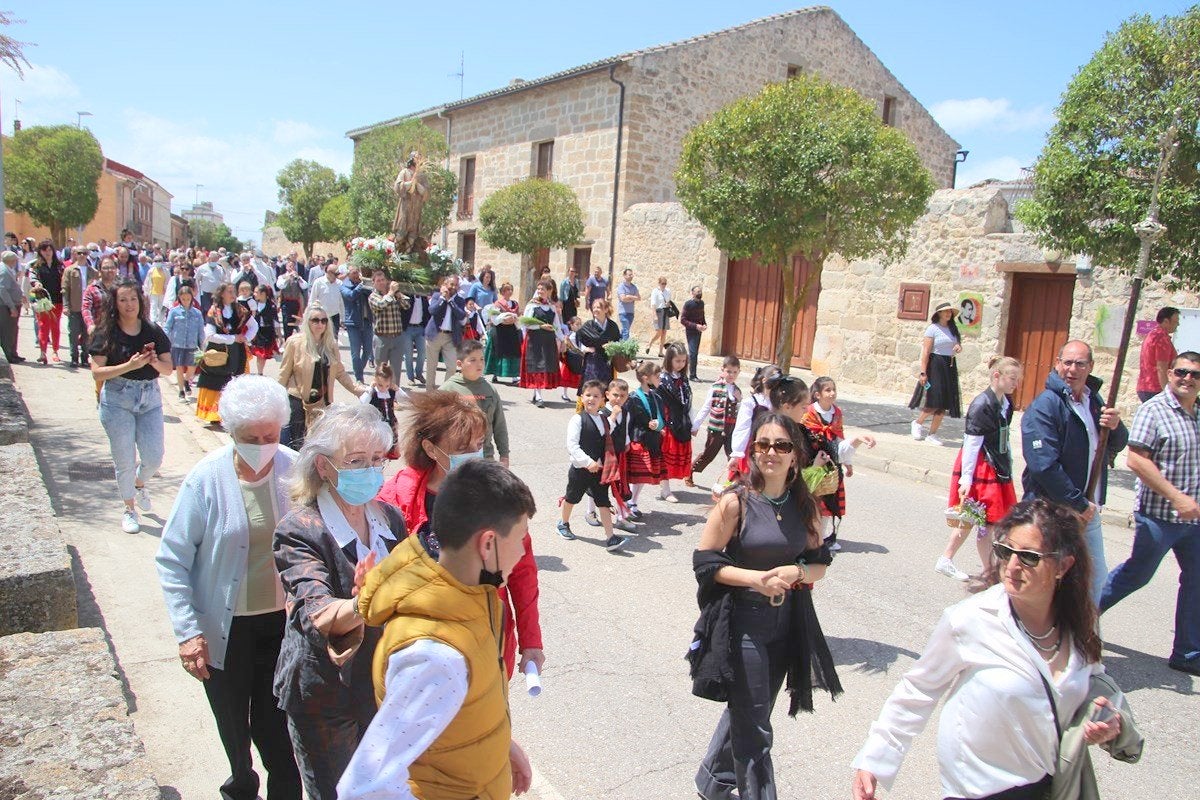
(128, 356)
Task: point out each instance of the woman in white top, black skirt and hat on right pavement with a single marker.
(938, 387)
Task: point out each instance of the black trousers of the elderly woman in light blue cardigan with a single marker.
(247, 712)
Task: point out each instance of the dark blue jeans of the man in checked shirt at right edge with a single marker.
(1151, 542)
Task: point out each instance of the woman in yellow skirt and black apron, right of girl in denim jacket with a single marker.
(229, 326)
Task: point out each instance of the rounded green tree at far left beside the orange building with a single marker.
(51, 175)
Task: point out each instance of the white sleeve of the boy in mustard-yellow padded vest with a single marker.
(424, 690)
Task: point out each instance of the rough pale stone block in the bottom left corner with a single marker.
(65, 724)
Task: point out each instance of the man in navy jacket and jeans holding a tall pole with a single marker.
(1060, 435)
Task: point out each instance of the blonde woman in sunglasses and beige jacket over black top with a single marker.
(310, 366)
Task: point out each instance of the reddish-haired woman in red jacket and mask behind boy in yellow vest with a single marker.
(443, 431)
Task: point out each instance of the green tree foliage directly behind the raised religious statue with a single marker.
(379, 159)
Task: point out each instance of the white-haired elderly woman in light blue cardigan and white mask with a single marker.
(223, 590)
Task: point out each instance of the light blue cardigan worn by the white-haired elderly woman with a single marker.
(202, 558)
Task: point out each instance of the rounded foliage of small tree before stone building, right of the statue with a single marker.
(531, 215)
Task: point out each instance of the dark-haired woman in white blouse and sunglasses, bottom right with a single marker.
(1021, 664)
